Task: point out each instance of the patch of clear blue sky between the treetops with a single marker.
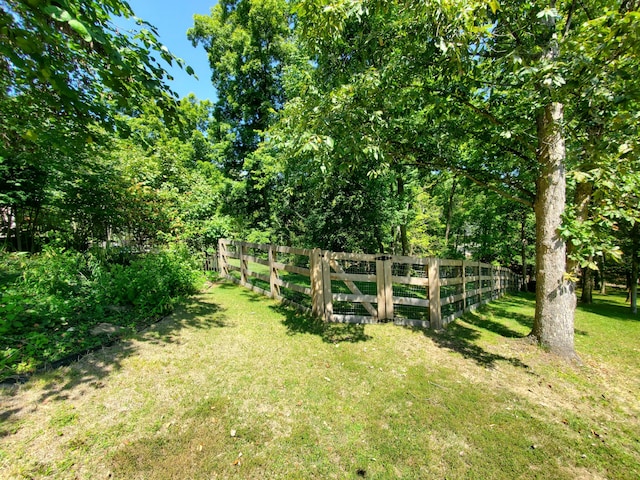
(173, 19)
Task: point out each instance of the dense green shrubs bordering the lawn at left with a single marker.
(50, 302)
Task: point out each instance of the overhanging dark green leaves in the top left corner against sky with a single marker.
(86, 60)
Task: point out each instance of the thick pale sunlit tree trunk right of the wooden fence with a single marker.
(555, 294)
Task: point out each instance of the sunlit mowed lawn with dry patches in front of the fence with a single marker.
(234, 385)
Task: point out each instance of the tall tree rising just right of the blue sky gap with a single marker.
(249, 44)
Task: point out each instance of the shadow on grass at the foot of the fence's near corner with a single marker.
(301, 323)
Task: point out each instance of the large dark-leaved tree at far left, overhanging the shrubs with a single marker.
(66, 72)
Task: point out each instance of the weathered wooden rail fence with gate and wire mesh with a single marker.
(364, 288)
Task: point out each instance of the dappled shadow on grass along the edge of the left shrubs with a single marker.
(89, 369)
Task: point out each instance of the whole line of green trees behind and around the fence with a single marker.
(504, 131)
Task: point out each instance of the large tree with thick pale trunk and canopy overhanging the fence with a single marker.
(476, 87)
